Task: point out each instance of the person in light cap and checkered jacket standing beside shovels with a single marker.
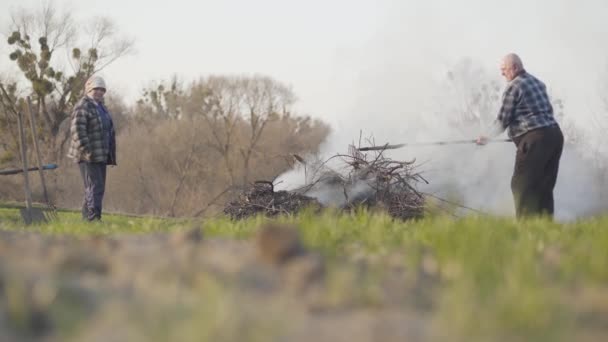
(93, 145)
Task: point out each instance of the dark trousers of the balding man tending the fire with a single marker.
(535, 172)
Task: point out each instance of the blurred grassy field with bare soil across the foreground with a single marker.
(470, 279)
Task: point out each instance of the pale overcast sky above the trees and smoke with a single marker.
(336, 52)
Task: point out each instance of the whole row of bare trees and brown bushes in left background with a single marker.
(183, 148)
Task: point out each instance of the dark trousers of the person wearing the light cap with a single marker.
(94, 178)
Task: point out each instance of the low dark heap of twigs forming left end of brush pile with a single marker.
(262, 199)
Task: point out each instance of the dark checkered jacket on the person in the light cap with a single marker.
(86, 143)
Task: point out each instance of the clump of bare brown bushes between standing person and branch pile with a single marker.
(229, 131)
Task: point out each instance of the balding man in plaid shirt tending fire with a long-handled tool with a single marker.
(528, 115)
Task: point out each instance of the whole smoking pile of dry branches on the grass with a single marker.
(353, 180)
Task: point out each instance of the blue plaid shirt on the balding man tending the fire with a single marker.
(525, 106)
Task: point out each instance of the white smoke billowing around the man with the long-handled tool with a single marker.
(420, 77)
